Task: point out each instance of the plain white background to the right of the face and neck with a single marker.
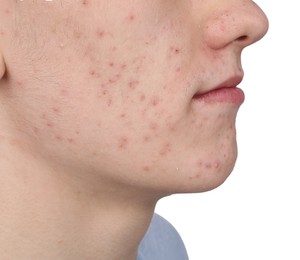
(255, 214)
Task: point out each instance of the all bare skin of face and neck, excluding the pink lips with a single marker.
(98, 119)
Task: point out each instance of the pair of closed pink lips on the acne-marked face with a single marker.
(226, 92)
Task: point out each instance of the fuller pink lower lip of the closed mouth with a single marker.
(231, 95)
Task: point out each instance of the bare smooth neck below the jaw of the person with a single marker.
(49, 216)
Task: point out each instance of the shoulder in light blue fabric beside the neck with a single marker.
(162, 242)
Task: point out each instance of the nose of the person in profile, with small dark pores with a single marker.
(237, 22)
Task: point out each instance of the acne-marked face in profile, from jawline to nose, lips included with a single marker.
(140, 93)
